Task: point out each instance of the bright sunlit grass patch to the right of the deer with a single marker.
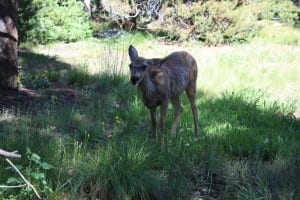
(267, 67)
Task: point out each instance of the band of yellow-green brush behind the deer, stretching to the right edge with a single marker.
(221, 22)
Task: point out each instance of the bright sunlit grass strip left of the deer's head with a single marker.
(99, 55)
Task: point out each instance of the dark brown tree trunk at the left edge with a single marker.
(8, 44)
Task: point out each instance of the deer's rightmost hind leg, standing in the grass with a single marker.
(191, 93)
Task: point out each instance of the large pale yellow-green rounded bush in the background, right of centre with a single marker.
(212, 22)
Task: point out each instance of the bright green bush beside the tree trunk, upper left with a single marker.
(53, 20)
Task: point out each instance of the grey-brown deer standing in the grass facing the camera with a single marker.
(162, 81)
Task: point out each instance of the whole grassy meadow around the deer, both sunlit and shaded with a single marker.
(89, 123)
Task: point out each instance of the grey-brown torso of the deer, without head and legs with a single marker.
(168, 79)
